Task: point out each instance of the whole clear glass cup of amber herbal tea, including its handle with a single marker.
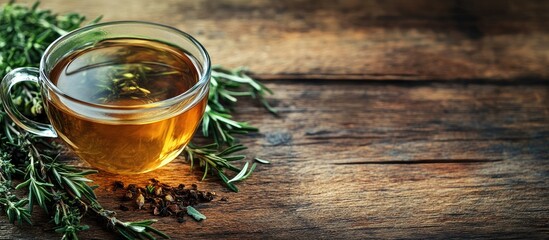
(125, 96)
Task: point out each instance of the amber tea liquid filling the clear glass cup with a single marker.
(125, 73)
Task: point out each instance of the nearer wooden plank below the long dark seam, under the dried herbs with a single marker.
(355, 160)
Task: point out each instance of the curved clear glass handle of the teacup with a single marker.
(13, 77)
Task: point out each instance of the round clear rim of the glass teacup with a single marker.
(195, 89)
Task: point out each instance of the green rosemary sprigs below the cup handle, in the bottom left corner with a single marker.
(59, 189)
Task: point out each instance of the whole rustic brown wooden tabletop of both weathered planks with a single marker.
(399, 119)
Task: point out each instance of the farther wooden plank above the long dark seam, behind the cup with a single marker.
(355, 39)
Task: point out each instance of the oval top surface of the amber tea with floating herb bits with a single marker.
(125, 71)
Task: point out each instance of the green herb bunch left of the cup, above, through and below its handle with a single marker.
(59, 189)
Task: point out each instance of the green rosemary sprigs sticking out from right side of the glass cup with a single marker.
(218, 124)
